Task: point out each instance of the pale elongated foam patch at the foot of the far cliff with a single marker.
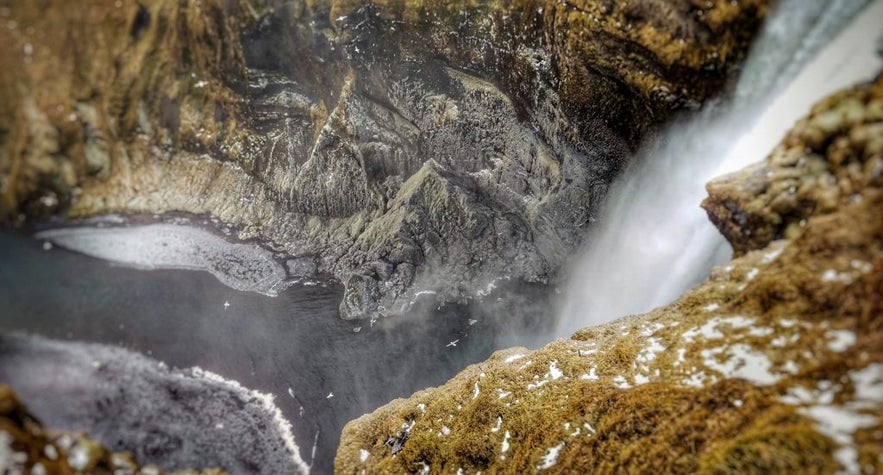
(246, 267)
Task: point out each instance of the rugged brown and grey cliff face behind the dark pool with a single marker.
(372, 140)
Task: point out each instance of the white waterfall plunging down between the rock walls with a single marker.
(654, 241)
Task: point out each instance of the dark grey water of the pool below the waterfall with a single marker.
(270, 344)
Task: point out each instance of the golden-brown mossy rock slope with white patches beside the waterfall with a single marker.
(774, 365)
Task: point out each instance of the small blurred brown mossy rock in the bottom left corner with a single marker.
(27, 447)
